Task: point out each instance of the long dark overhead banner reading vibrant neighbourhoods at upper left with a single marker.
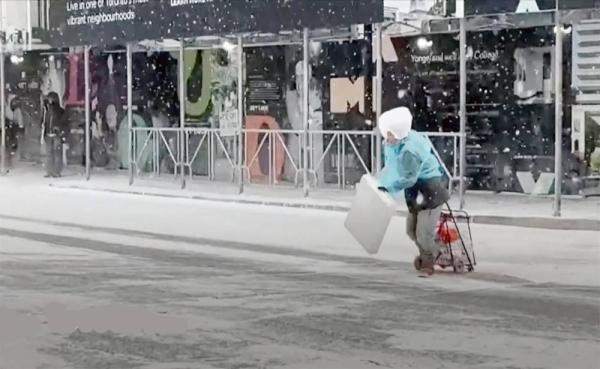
(106, 22)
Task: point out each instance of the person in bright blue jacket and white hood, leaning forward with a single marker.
(410, 165)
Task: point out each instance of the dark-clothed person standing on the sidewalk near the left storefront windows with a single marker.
(53, 134)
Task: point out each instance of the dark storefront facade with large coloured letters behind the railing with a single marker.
(510, 98)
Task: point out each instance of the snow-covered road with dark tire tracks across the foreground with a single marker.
(270, 287)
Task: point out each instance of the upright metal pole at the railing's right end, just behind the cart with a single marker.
(463, 110)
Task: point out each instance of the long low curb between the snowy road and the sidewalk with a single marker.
(563, 224)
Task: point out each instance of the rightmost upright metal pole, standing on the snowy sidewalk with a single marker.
(558, 85)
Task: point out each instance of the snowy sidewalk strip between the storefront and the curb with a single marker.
(486, 208)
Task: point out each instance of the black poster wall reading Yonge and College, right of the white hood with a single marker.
(510, 106)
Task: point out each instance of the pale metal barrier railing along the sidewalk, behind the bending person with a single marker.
(336, 158)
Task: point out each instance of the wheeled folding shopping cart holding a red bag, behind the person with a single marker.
(456, 242)
